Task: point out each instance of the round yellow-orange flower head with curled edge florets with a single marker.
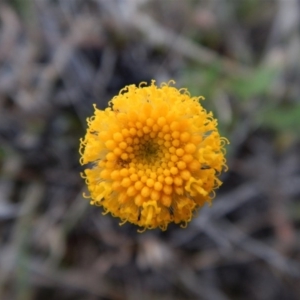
(155, 156)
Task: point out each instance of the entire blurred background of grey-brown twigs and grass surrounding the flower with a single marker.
(59, 57)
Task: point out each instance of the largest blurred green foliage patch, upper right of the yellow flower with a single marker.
(243, 91)
